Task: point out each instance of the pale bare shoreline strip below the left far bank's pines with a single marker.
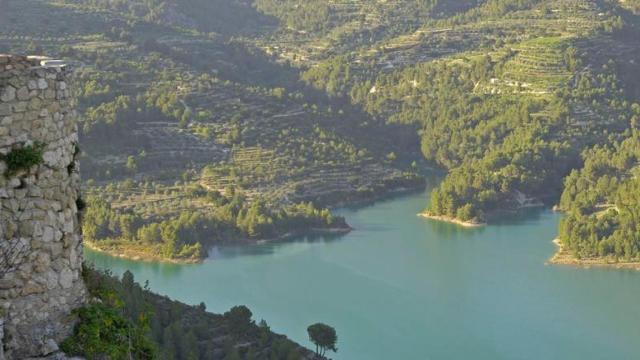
(143, 256)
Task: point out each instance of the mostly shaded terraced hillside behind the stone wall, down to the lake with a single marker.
(180, 116)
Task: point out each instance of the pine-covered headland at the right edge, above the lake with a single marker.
(602, 200)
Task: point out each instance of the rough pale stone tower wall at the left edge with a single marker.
(40, 241)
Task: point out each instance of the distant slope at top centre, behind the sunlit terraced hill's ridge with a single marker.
(313, 30)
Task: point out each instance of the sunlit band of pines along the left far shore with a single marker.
(207, 219)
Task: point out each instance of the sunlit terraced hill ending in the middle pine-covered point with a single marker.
(504, 94)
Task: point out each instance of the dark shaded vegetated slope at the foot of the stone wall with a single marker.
(127, 321)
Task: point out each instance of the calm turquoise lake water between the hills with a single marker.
(404, 287)
